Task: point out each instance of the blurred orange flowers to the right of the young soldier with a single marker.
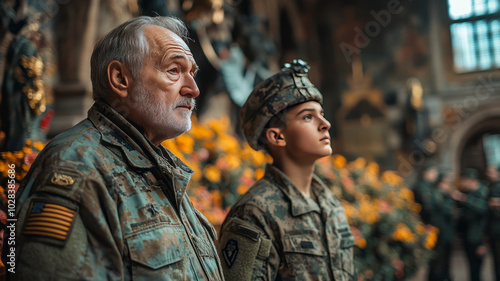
(392, 242)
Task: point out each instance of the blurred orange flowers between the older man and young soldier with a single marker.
(224, 167)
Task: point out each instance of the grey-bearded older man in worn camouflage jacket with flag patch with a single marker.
(104, 200)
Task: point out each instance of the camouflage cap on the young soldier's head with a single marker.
(287, 88)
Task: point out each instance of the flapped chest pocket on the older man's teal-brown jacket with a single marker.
(159, 252)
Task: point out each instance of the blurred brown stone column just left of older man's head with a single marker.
(75, 29)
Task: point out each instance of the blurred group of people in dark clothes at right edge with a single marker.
(465, 210)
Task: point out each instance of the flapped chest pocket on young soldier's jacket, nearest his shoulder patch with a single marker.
(305, 256)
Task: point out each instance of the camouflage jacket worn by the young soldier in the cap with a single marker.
(273, 232)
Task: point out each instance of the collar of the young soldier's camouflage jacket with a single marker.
(299, 204)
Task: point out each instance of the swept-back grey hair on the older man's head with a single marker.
(127, 44)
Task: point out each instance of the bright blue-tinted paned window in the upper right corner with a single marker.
(475, 34)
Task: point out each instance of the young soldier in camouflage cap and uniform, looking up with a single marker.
(288, 226)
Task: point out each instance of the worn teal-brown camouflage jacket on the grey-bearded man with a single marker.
(103, 203)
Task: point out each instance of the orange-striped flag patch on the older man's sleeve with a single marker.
(50, 220)
